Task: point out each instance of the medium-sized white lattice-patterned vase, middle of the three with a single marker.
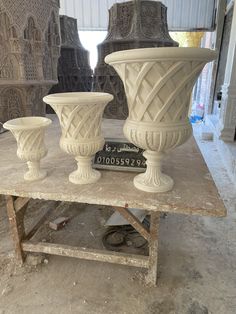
(80, 116)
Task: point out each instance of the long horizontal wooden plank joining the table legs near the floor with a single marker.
(87, 254)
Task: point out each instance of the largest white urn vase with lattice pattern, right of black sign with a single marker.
(158, 84)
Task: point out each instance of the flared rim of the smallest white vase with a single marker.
(27, 123)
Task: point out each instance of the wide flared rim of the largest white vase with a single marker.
(162, 53)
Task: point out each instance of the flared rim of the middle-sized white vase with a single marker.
(82, 98)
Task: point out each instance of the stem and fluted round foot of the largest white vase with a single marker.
(153, 180)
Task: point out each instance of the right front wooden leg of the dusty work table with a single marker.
(151, 278)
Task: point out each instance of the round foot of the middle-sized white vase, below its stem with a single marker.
(79, 177)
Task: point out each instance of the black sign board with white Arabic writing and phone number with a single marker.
(119, 155)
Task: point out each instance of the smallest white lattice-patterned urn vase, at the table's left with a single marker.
(29, 134)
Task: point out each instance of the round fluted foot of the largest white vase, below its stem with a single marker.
(145, 183)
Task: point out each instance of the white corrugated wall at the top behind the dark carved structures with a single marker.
(182, 14)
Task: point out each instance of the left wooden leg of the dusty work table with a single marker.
(16, 211)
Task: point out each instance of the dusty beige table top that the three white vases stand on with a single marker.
(194, 190)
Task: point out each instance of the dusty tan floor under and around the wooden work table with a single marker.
(197, 273)
